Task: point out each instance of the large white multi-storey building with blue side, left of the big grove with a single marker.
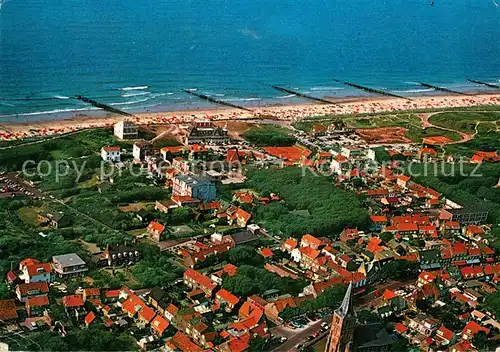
(195, 187)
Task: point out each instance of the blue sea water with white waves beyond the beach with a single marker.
(231, 49)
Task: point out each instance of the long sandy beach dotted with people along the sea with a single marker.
(13, 131)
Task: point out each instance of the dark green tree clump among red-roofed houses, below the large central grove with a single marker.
(252, 280)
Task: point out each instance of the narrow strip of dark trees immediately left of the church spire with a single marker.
(331, 297)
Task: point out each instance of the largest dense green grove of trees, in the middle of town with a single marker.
(331, 209)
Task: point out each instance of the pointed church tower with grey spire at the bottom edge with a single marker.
(343, 324)
